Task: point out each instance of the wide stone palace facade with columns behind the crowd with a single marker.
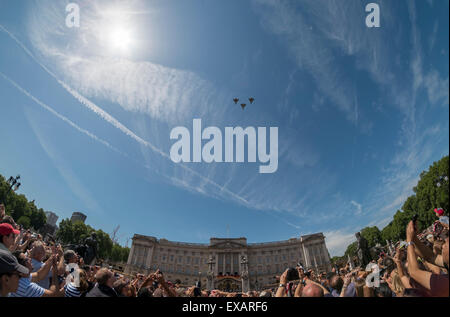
(228, 264)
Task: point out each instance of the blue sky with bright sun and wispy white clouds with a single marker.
(86, 113)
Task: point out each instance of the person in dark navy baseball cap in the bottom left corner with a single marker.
(10, 273)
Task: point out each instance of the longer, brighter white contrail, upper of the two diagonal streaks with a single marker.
(114, 122)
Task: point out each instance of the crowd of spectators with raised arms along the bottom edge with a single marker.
(30, 266)
